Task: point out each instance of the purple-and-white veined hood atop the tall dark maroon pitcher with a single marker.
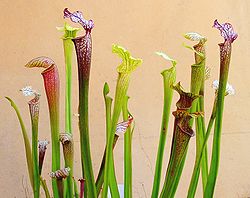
(77, 17)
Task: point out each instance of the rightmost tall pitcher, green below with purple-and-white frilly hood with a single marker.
(225, 54)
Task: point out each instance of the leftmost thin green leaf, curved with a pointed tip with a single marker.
(26, 142)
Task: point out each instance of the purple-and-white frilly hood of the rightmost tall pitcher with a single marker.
(226, 30)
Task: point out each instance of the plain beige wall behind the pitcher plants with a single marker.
(28, 30)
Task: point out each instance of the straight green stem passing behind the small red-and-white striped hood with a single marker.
(127, 153)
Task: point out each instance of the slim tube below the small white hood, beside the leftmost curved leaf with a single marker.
(34, 115)
